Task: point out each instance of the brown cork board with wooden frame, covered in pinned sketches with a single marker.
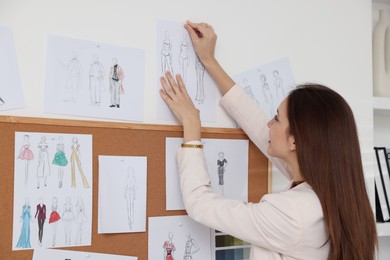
(121, 139)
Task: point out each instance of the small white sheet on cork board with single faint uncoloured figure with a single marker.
(122, 194)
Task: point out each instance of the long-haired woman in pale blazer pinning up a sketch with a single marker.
(312, 139)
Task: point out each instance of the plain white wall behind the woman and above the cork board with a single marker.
(326, 41)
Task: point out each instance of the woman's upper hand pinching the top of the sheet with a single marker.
(204, 40)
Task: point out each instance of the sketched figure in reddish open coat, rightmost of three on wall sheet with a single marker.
(116, 83)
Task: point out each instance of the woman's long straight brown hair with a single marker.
(329, 159)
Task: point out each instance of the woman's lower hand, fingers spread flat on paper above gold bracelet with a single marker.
(176, 96)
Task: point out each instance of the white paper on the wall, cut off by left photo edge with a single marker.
(11, 96)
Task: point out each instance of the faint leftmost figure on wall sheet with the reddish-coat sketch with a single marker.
(73, 78)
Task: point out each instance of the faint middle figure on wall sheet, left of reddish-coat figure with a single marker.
(96, 76)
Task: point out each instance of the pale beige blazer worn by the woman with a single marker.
(287, 225)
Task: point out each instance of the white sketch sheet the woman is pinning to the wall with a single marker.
(175, 53)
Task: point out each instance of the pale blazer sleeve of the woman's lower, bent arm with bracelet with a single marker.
(273, 223)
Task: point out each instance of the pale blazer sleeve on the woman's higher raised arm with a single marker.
(252, 120)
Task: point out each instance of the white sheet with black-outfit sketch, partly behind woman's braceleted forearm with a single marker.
(227, 162)
